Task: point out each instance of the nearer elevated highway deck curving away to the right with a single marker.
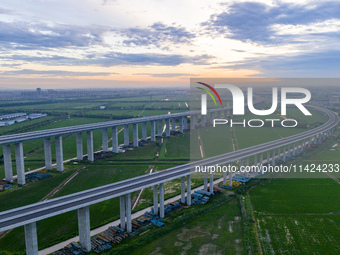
(34, 212)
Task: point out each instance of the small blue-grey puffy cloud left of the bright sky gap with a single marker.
(156, 35)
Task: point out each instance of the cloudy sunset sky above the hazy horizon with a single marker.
(157, 43)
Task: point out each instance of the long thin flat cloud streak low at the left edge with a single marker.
(52, 73)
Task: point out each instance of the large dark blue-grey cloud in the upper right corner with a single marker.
(256, 21)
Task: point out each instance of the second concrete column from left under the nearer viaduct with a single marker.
(84, 228)
